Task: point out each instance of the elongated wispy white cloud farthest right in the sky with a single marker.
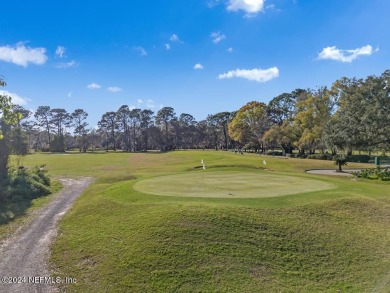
(347, 56)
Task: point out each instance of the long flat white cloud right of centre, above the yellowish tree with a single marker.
(257, 74)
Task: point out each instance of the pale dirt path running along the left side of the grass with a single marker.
(24, 256)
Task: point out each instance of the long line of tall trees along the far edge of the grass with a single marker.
(353, 114)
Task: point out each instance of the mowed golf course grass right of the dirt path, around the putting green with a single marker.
(118, 238)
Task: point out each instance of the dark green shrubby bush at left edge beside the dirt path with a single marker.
(20, 188)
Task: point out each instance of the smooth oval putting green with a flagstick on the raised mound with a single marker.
(229, 185)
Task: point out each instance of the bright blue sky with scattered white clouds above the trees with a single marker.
(197, 56)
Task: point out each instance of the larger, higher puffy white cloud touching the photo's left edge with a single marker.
(22, 55)
